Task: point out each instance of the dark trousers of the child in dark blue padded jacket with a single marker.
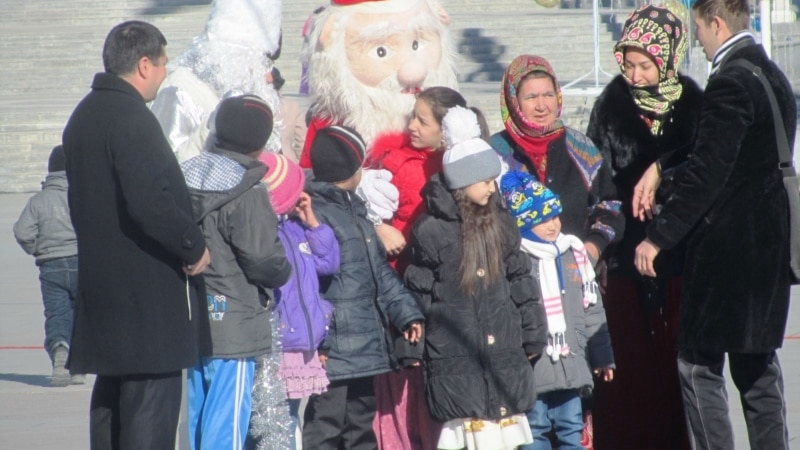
(341, 418)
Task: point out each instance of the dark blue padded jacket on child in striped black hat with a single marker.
(367, 294)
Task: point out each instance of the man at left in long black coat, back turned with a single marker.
(136, 324)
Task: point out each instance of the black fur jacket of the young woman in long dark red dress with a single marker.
(626, 142)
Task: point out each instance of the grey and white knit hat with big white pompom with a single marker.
(468, 159)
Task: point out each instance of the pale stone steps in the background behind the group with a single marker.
(51, 49)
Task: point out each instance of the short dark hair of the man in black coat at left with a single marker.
(129, 42)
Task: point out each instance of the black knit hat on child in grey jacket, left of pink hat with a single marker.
(243, 124)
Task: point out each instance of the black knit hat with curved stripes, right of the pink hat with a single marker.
(336, 154)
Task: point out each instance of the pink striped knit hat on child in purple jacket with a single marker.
(284, 180)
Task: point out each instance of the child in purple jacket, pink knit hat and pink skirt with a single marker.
(312, 250)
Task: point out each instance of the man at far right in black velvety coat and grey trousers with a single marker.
(730, 201)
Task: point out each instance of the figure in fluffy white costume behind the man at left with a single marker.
(232, 56)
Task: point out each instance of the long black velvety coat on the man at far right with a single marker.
(730, 200)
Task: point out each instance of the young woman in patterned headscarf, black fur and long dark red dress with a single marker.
(648, 113)
